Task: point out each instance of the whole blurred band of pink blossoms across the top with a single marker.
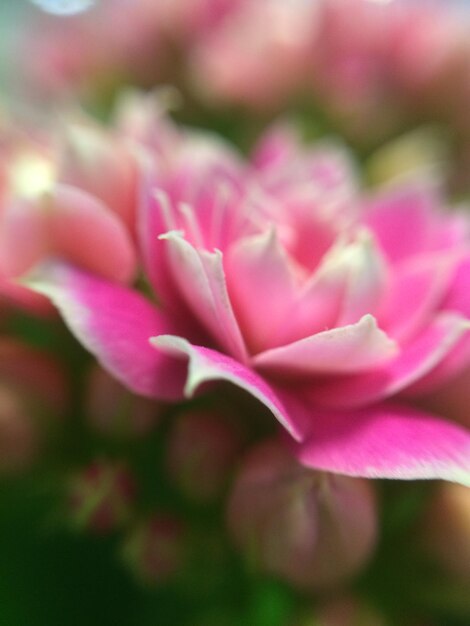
(374, 60)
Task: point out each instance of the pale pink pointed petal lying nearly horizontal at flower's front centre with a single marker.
(349, 349)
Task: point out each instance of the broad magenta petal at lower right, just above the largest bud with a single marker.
(388, 442)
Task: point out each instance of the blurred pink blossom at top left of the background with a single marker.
(115, 42)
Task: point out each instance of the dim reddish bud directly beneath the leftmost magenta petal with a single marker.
(114, 411)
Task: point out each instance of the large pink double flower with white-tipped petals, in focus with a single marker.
(281, 277)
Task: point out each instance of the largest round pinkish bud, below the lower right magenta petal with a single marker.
(310, 528)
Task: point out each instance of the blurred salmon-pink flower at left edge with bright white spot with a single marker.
(70, 194)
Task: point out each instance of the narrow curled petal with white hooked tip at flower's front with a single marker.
(207, 365)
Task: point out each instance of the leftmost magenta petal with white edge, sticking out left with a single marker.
(114, 323)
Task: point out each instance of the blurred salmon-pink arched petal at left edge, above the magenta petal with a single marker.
(69, 223)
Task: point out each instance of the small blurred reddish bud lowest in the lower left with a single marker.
(154, 550)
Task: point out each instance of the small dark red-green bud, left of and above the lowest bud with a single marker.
(101, 496)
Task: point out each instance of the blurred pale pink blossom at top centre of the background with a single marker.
(256, 66)
